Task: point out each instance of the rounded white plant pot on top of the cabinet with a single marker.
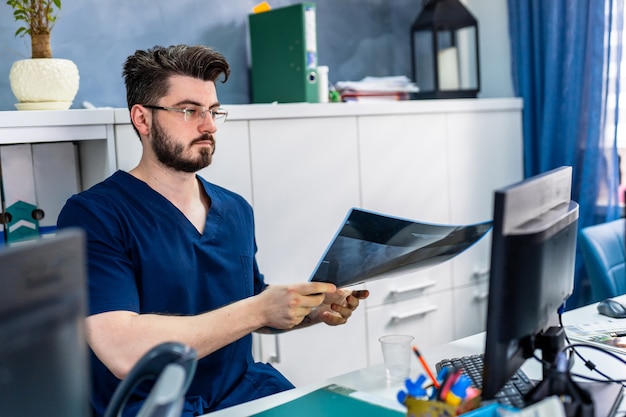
(44, 83)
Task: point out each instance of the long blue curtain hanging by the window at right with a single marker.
(560, 68)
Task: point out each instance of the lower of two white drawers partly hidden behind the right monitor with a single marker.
(470, 309)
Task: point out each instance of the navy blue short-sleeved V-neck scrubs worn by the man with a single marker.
(145, 256)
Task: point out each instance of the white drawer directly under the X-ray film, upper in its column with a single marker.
(410, 285)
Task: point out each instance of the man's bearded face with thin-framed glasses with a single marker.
(185, 145)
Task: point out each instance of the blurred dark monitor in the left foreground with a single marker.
(43, 353)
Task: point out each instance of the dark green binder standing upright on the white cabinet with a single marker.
(283, 45)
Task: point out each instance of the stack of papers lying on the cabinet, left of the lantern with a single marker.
(377, 88)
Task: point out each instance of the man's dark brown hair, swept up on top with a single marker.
(146, 73)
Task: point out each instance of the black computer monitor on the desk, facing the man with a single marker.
(533, 255)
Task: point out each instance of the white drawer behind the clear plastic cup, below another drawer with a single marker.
(428, 319)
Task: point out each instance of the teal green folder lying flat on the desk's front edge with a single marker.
(330, 401)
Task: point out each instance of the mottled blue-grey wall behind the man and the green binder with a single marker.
(355, 38)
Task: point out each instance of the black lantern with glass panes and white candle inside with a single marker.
(444, 48)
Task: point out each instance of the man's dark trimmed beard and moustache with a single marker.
(171, 154)
